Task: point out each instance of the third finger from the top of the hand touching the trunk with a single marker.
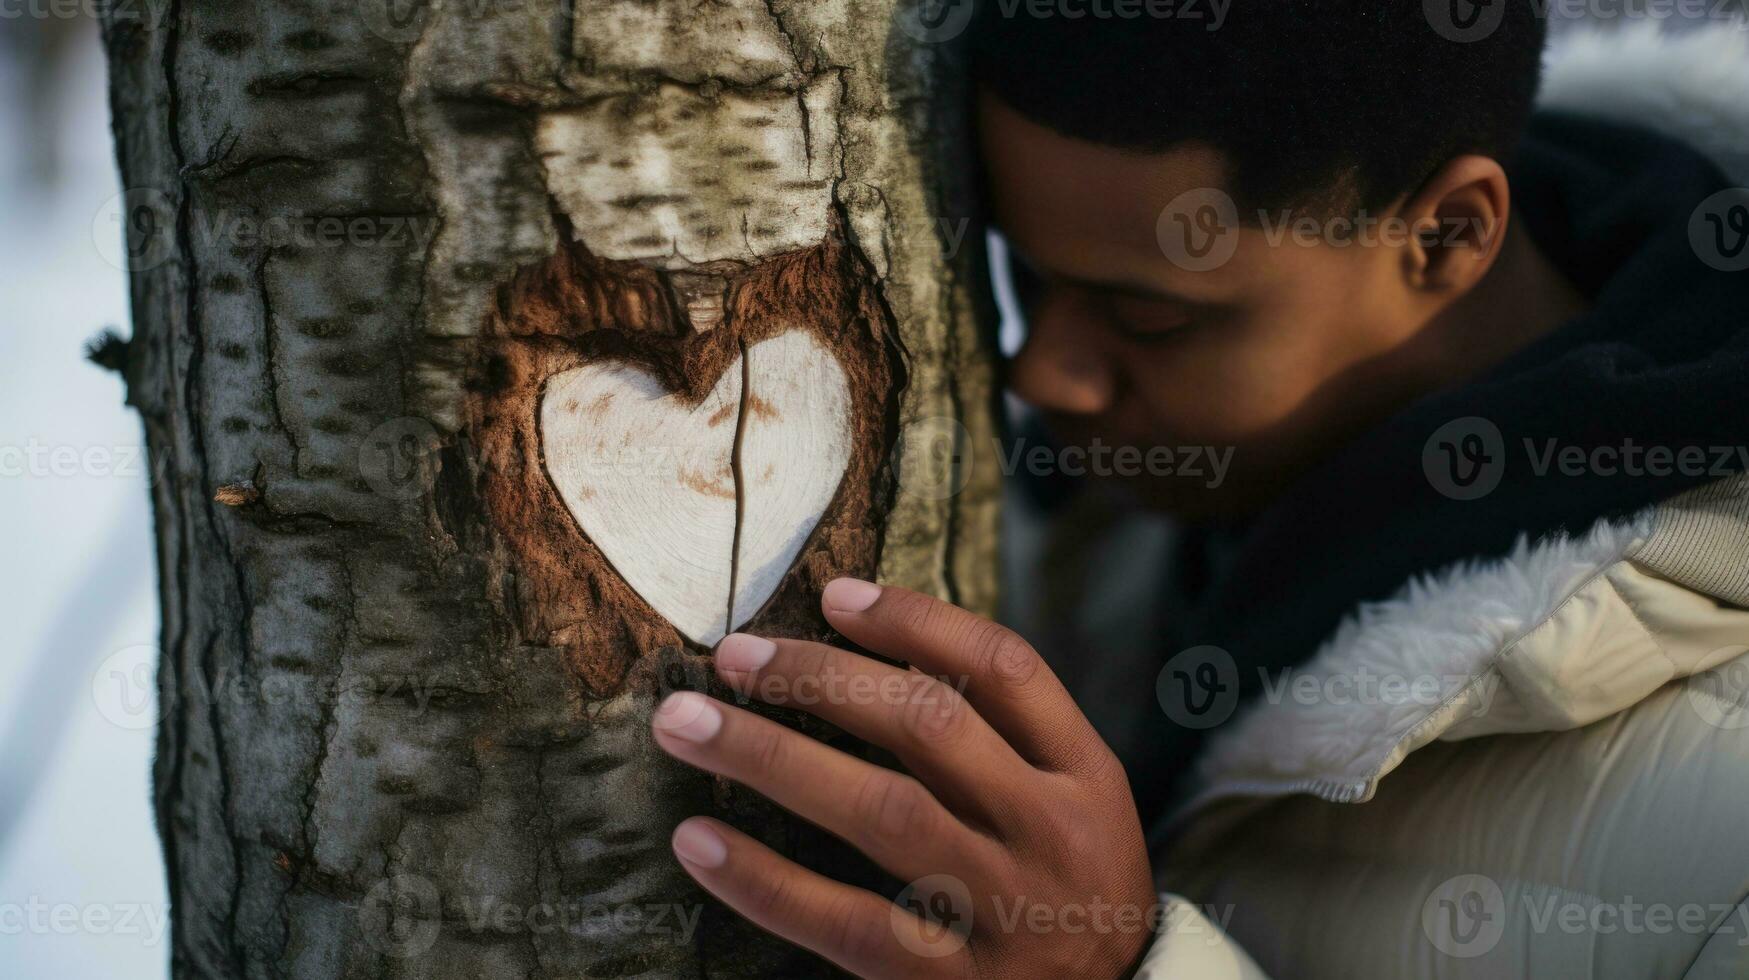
(884, 815)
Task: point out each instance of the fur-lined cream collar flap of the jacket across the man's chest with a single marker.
(1550, 638)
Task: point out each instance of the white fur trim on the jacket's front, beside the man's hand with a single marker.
(1402, 673)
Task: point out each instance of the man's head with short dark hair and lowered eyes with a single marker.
(1246, 237)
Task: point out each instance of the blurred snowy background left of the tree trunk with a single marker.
(81, 879)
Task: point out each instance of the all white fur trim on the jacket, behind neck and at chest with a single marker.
(1440, 640)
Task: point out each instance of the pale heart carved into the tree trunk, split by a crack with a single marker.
(653, 480)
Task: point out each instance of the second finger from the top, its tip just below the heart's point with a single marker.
(924, 722)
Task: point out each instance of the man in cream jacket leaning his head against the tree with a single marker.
(1456, 689)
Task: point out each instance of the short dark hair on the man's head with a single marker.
(1316, 104)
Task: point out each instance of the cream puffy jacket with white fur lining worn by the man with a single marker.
(1533, 767)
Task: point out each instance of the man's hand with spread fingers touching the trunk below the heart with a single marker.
(1015, 829)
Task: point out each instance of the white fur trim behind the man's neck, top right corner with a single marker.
(1687, 85)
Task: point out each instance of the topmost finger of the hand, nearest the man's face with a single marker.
(1007, 680)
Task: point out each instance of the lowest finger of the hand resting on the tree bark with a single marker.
(856, 930)
